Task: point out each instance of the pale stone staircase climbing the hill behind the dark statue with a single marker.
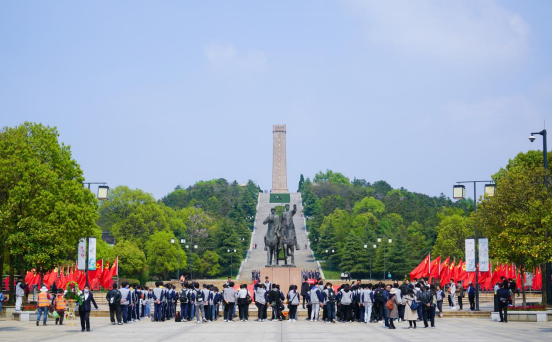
(258, 258)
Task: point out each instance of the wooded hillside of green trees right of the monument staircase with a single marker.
(345, 215)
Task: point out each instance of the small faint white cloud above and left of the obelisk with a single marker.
(227, 56)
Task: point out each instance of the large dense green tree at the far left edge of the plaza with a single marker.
(44, 208)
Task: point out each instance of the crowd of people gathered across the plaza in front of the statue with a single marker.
(388, 304)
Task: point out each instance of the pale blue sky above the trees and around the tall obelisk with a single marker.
(154, 94)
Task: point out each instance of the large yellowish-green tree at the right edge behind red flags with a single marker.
(518, 218)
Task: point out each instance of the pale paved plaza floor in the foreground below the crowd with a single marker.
(447, 330)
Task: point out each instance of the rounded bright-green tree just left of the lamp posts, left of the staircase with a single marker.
(162, 254)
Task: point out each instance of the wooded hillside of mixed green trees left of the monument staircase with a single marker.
(211, 218)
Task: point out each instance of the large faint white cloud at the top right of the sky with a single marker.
(479, 31)
